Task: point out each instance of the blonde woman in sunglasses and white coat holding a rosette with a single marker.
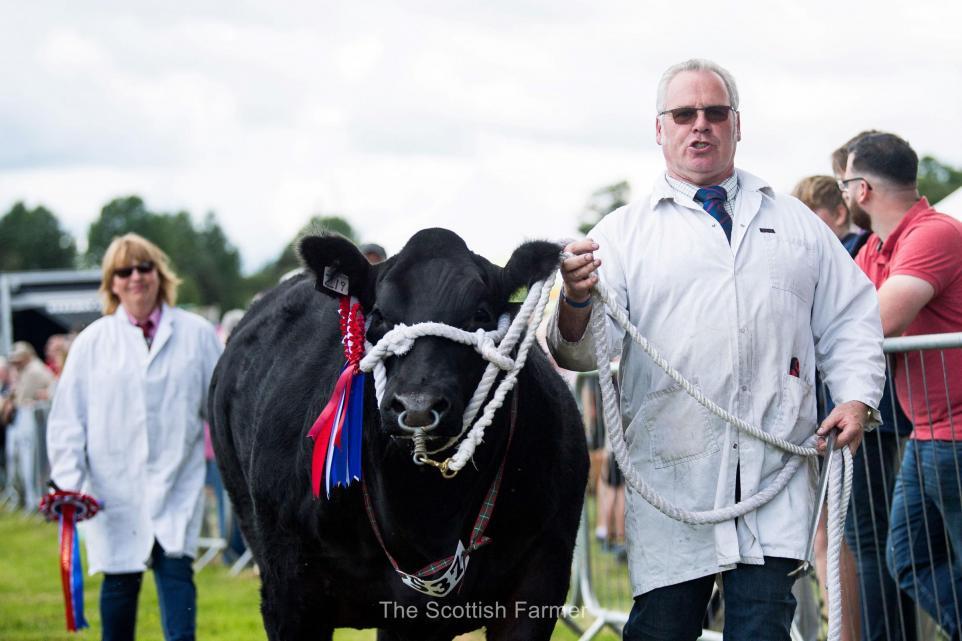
(126, 427)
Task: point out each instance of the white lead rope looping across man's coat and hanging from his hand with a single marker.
(839, 488)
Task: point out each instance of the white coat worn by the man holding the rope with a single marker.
(730, 318)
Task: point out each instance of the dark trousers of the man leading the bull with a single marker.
(759, 606)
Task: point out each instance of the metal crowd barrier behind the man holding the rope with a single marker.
(910, 583)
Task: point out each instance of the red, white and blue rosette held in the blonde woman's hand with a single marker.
(69, 508)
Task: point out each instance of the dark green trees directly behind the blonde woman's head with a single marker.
(202, 256)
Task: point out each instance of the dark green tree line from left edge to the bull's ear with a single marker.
(202, 254)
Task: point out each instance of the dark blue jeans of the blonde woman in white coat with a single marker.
(175, 592)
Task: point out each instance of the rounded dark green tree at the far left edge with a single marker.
(34, 239)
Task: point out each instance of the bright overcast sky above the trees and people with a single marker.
(495, 119)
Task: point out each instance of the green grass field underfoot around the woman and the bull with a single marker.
(31, 603)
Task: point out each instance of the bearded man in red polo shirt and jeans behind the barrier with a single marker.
(914, 257)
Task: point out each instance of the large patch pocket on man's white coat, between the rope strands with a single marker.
(678, 428)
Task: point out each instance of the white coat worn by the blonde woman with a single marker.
(126, 427)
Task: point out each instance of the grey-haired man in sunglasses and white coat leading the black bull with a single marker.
(746, 293)
